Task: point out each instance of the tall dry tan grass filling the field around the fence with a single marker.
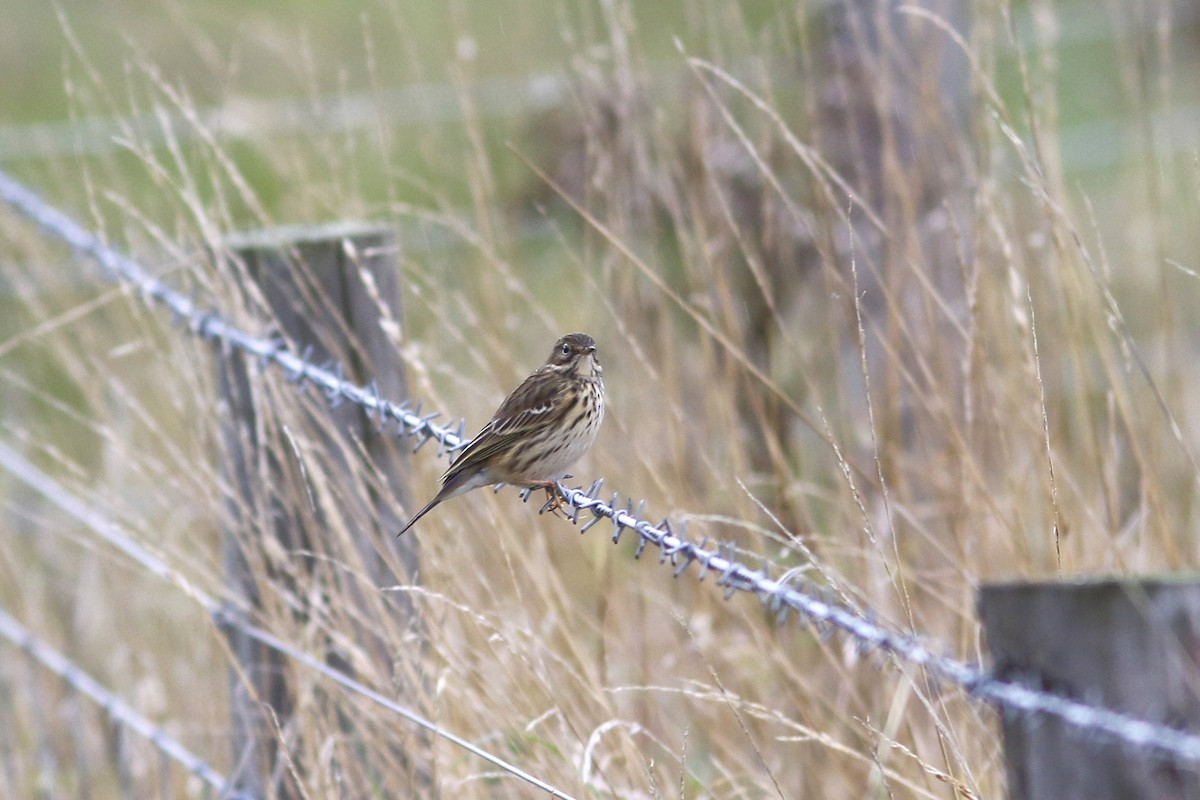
(854, 314)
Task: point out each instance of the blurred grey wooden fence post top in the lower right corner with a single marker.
(1131, 646)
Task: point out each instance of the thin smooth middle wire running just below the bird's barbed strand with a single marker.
(227, 616)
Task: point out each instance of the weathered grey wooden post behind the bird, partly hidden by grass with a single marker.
(313, 284)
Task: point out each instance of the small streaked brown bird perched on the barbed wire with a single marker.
(539, 431)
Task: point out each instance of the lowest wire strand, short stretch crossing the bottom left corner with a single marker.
(113, 706)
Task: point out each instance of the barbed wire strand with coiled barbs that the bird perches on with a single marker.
(776, 593)
